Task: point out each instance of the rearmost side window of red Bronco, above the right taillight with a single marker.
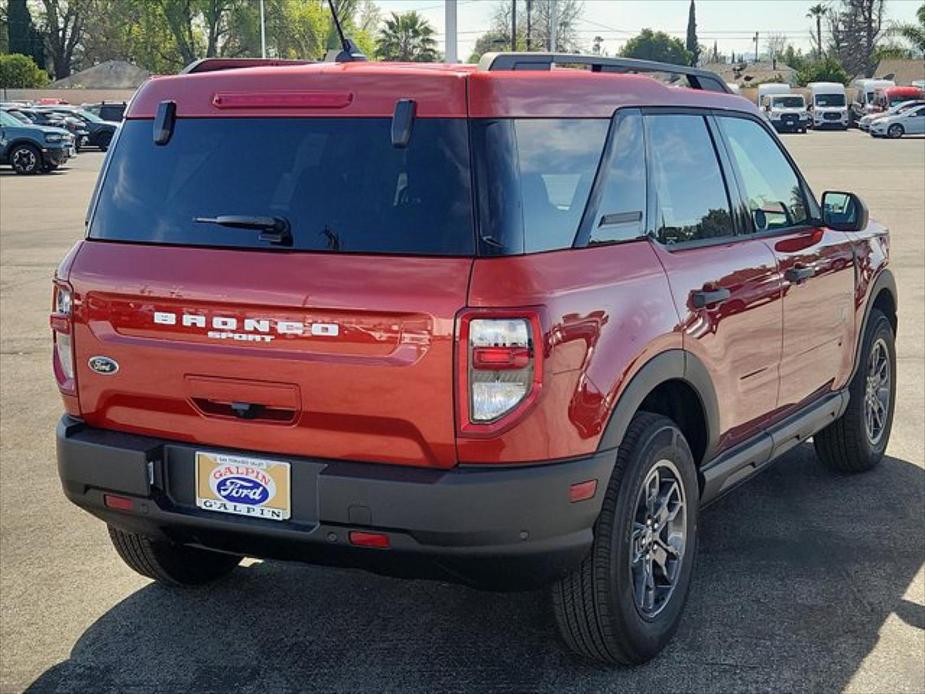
(558, 160)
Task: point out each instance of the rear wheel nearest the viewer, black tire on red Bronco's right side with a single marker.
(596, 607)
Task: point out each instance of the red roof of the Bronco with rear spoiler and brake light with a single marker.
(439, 91)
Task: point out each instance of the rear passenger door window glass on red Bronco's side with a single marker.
(692, 199)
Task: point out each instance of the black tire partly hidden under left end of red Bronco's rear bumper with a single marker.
(169, 563)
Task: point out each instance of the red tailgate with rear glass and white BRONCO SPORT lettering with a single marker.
(337, 344)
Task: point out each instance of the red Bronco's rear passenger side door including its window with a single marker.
(725, 286)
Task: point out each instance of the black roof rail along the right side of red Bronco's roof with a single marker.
(697, 78)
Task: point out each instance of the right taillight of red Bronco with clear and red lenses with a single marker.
(500, 368)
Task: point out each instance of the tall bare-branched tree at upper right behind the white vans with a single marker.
(856, 27)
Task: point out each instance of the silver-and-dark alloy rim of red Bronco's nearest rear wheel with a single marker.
(658, 538)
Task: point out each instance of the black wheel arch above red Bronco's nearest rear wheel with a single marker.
(676, 384)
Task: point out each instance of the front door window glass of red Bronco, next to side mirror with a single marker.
(771, 186)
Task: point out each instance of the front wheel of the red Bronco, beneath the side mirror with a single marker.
(848, 444)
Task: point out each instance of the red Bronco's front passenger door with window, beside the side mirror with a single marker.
(816, 264)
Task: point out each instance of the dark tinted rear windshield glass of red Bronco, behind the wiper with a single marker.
(339, 183)
